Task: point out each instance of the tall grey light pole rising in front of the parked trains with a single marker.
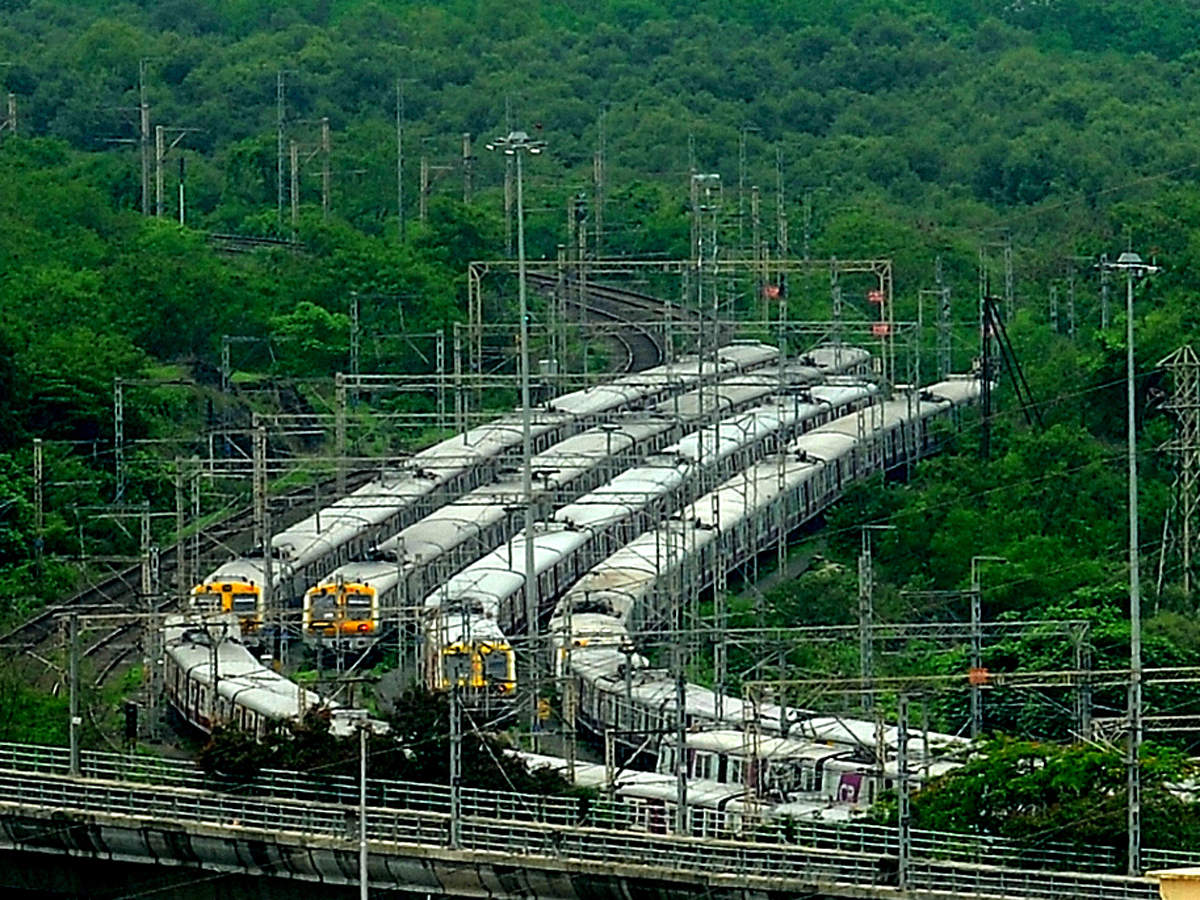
(517, 145)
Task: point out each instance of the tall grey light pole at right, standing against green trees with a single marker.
(1135, 269)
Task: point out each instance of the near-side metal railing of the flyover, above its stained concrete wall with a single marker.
(272, 819)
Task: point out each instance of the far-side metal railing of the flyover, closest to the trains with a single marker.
(597, 813)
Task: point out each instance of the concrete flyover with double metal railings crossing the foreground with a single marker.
(283, 826)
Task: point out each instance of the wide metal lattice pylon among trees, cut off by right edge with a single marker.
(1183, 530)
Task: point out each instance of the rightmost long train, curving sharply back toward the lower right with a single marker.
(638, 587)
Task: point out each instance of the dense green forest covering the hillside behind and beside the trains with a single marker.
(915, 130)
